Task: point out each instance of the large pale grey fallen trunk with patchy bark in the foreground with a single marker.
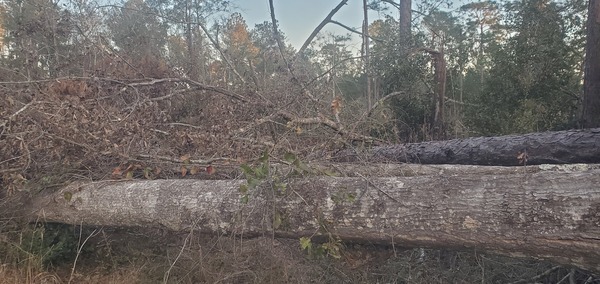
(550, 212)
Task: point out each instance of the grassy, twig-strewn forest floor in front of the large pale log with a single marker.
(53, 253)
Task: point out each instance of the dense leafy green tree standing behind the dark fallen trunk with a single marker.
(531, 79)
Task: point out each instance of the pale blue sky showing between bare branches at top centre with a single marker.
(298, 18)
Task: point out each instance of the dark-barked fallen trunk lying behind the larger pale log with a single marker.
(559, 147)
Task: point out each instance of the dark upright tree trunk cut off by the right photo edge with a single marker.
(591, 85)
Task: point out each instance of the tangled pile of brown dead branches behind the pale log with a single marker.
(101, 128)
